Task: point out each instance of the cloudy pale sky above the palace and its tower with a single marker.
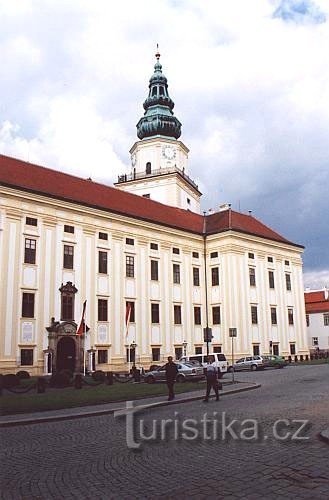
(250, 82)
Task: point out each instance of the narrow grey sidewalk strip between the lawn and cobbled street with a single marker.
(106, 409)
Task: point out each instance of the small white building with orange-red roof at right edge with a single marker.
(317, 319)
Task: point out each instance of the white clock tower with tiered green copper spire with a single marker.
(159, 160)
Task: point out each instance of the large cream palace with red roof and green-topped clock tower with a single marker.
(143, 247)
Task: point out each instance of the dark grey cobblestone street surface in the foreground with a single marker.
(89, 458)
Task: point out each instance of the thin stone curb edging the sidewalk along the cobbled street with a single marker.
(109, 411)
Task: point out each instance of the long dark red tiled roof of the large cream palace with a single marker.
(33, 178)
